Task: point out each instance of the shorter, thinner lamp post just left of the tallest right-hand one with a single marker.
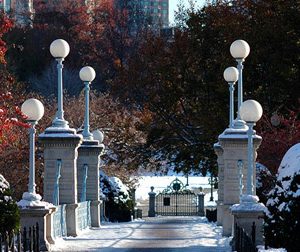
(231, 75)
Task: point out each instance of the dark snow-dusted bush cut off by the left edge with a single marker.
(9, 211)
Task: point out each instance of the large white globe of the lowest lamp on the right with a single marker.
(250, 111)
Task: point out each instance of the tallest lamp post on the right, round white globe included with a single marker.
(239, 50)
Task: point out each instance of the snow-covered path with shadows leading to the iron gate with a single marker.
(170, 234)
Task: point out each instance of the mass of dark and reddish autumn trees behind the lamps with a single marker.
(165, 98)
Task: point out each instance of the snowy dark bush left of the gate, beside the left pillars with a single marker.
(118, 203)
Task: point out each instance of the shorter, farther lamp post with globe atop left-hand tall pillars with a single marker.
(87, 75)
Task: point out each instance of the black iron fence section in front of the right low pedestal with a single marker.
(242, 241)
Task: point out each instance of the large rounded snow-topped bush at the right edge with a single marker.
(283, 217)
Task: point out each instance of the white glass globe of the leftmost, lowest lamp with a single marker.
(33, 109)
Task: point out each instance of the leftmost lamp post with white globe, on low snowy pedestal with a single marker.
(34, 110)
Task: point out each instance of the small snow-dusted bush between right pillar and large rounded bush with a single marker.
(265, 182)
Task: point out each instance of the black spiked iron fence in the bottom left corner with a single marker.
(26, 240)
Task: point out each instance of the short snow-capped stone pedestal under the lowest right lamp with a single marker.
(247, 212)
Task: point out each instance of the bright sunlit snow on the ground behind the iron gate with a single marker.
(161, 182)
